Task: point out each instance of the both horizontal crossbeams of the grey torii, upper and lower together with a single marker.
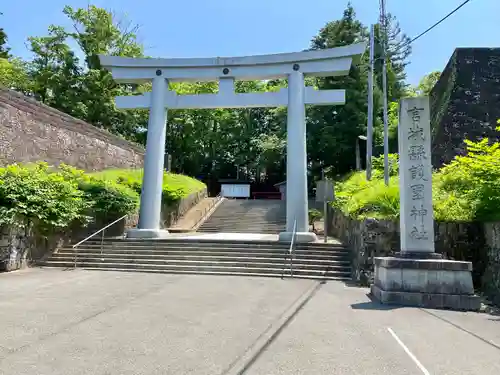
(327, 62)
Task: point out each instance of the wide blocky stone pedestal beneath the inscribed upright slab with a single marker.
(431, 283)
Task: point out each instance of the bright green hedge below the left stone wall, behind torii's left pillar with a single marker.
(53, 199)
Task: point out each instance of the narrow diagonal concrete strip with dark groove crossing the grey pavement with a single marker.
(243, 363)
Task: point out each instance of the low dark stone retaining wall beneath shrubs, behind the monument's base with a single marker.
(478, 243)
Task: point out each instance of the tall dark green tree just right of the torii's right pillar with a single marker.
(332, 132)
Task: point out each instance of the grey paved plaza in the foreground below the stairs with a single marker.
(56, 322)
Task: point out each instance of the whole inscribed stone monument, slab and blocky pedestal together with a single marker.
(417, 276)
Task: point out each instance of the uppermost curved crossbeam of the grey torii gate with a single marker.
(326, 62)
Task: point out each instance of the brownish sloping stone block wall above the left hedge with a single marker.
(31, 131)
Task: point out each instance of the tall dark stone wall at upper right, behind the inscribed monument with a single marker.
(465, 102)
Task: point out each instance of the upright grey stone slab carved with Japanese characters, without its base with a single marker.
(415, 176)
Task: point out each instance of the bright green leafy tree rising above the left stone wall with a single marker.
(81, 88)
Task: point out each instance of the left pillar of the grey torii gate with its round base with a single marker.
(151, 196)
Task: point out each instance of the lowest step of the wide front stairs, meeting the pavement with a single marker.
(200, 268)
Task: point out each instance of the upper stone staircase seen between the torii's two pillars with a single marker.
(247, 216)
